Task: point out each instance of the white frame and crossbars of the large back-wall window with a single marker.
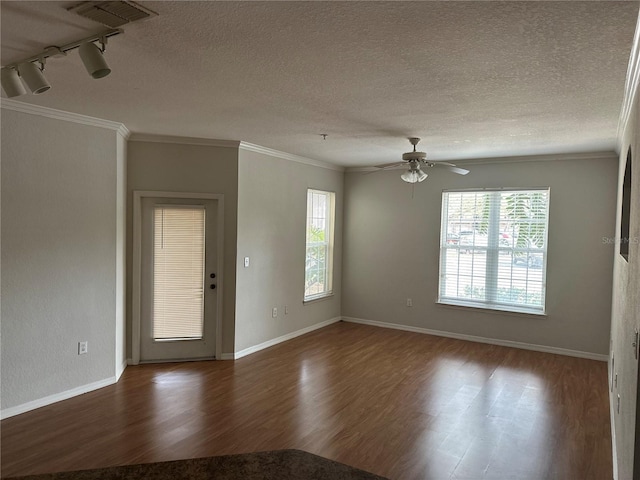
(492, 250)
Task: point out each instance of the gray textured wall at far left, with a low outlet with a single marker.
(59, 256)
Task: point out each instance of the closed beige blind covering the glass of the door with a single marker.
(178, 272)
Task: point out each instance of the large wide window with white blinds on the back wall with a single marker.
(493, 249)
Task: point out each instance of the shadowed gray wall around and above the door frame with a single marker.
(174, 167)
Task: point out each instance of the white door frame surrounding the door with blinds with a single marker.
(136, 277)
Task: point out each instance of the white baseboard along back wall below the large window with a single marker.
(473, 338)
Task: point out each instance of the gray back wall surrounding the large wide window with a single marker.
(391, 251)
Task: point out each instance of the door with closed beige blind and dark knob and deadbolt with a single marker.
(178, 301)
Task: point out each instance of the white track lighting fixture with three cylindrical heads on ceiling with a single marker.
(28, 70)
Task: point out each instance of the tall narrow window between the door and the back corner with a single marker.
(319, 255)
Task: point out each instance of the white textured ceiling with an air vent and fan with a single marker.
(472, 79)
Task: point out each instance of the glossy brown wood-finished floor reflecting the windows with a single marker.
(399, 404)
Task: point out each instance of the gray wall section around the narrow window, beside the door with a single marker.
(272, 197)
